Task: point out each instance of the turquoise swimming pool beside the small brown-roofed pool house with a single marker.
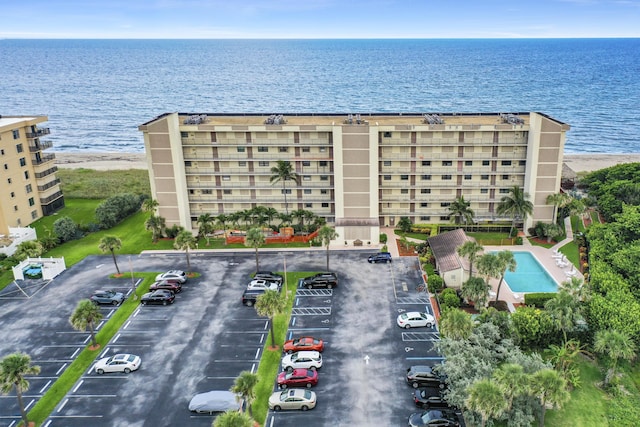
(529, 276)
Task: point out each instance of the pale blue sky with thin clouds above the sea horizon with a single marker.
(285, 19)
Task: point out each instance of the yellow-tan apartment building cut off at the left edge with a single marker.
(28, 180)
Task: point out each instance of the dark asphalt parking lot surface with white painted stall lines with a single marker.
(204, 340)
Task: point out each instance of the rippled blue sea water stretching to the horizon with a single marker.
(97, 92)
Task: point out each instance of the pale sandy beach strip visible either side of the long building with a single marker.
(119, 161)
